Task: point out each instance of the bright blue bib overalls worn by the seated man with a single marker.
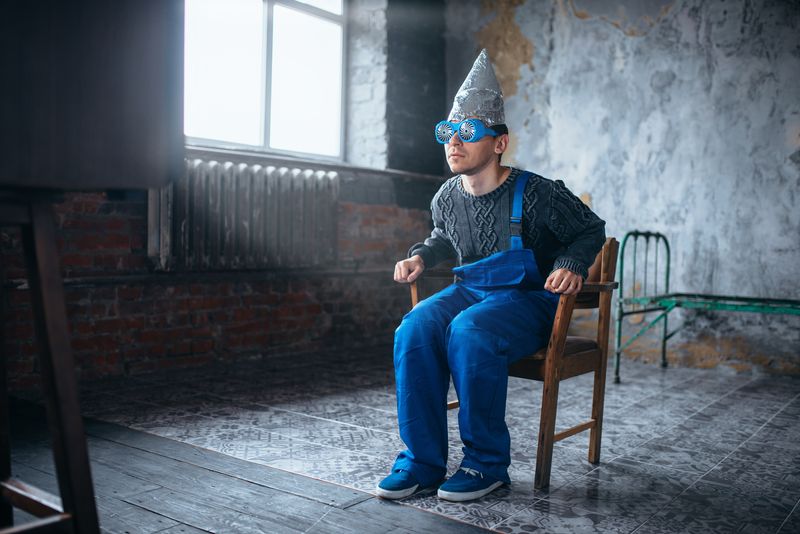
(496, 313)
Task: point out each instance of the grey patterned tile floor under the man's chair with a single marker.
(684, 450)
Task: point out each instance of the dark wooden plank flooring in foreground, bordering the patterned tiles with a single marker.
(148, 484)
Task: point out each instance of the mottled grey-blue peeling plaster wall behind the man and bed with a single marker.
(680, 117)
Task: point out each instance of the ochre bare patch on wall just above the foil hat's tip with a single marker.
(508, 48)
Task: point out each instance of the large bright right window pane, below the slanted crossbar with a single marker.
(305, 114)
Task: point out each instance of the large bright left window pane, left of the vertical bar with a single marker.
(223, 70)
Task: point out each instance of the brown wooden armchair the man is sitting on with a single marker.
(568, 356)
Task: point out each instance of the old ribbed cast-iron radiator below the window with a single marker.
(222, 216)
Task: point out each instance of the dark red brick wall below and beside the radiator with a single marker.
(125, 318)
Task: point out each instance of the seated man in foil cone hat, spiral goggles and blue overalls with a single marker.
(506, 228)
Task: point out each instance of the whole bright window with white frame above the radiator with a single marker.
(265, 74)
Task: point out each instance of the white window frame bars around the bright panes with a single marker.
(266, 87)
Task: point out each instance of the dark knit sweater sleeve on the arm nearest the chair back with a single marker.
(577, 228)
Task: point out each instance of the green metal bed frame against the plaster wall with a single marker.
(645, 296)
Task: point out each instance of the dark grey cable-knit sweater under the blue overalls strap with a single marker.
(560, 229)
